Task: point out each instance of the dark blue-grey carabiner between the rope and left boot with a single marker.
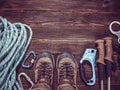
(32, 61)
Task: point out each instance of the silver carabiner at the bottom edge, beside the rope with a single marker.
(28, 79)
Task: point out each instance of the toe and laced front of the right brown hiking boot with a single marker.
(66, 70)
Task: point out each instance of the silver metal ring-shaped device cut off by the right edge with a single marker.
(117, 33)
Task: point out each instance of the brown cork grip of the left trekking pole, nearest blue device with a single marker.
(101, 52)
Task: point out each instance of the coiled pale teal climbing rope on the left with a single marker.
(14, 41)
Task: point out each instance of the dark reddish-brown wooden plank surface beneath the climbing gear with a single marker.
(65, 25)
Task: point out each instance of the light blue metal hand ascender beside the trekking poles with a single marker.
(88, 56)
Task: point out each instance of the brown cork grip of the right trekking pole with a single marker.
(108, 41)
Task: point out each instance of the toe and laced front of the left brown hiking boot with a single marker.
(44, 68)
